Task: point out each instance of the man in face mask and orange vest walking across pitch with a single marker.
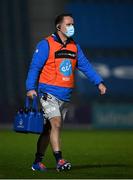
(52, 73)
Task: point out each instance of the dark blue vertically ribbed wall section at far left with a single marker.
(15, 49)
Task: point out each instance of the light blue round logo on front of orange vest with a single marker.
(66, 67)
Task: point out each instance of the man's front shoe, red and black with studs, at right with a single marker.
(63, 165)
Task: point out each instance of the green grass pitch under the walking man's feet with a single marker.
(93, 154)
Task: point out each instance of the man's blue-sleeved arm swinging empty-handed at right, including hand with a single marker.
(85, 66)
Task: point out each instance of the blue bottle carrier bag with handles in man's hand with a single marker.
(29, 119)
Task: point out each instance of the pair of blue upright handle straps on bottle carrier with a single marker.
(34, 103)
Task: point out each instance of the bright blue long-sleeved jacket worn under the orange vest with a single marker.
(39, 59)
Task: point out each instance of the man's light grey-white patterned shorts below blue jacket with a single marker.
(53, 107)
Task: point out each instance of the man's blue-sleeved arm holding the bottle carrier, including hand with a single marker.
(39, 58)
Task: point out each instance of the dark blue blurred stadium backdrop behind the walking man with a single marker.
(104, 31)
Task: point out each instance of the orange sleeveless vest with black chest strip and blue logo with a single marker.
(60, 65)
